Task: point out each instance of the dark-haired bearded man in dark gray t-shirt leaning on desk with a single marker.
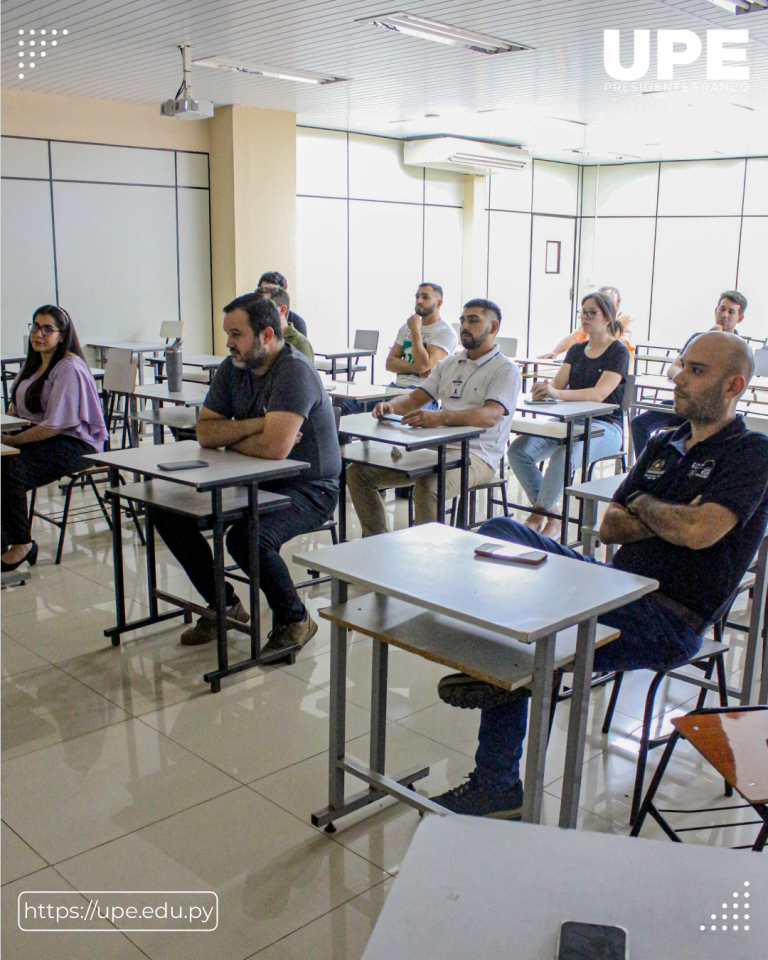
(267, 401)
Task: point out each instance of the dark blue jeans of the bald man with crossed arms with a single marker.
(652, 637)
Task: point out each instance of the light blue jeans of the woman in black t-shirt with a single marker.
(544, 490)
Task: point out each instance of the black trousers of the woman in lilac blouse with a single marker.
(35, 465)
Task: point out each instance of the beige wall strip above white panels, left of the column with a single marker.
(28, 114)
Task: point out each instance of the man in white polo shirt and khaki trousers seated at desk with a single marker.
(476, 388)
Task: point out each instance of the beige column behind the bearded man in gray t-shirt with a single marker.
(253, 202)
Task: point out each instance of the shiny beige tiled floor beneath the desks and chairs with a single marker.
(122, 771)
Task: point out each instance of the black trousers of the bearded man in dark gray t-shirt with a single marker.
(310, 508)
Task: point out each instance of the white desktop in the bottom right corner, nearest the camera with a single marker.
(473, 889)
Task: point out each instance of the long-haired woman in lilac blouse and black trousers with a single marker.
(57, 394)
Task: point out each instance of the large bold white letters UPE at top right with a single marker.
(677, 48)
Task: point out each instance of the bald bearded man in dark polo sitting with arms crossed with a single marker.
(691, 514)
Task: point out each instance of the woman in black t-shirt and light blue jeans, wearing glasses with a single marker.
(595, 371)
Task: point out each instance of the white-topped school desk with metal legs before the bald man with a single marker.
(529, 605)
